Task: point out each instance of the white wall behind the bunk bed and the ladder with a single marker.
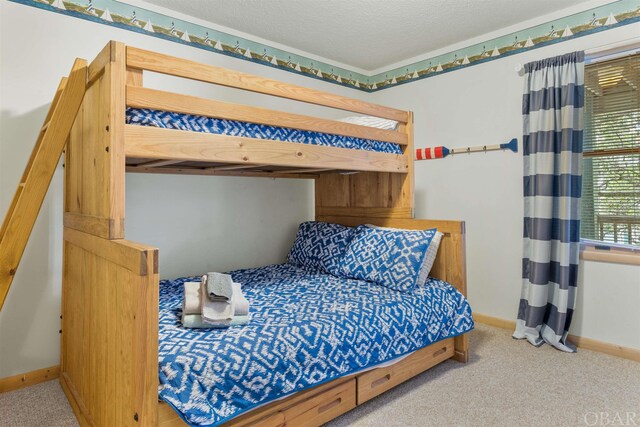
(200, 223)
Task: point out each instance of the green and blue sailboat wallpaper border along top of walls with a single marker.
(125, 16)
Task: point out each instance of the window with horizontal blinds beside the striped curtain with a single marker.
(611, 168)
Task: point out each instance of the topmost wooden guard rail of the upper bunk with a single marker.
(165, 64)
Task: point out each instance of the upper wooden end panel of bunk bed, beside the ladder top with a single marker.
(95, 157)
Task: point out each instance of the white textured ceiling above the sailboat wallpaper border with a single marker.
(368, 34)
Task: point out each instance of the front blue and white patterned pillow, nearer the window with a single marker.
(390, 258)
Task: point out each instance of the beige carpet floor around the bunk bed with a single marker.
(506, 383)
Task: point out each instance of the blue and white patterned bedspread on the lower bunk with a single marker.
(306, 328)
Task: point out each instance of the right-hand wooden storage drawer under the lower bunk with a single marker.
(372, 383)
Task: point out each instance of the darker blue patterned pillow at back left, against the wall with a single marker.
(320, 245)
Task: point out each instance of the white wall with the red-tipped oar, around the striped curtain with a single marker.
(482, 105)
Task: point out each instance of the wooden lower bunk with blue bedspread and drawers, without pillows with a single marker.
(316, 346)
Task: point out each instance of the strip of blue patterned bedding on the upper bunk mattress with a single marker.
(170, 120)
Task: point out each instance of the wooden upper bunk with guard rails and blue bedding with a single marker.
(166, 132)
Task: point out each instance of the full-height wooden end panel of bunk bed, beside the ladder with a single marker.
(109, 343)
